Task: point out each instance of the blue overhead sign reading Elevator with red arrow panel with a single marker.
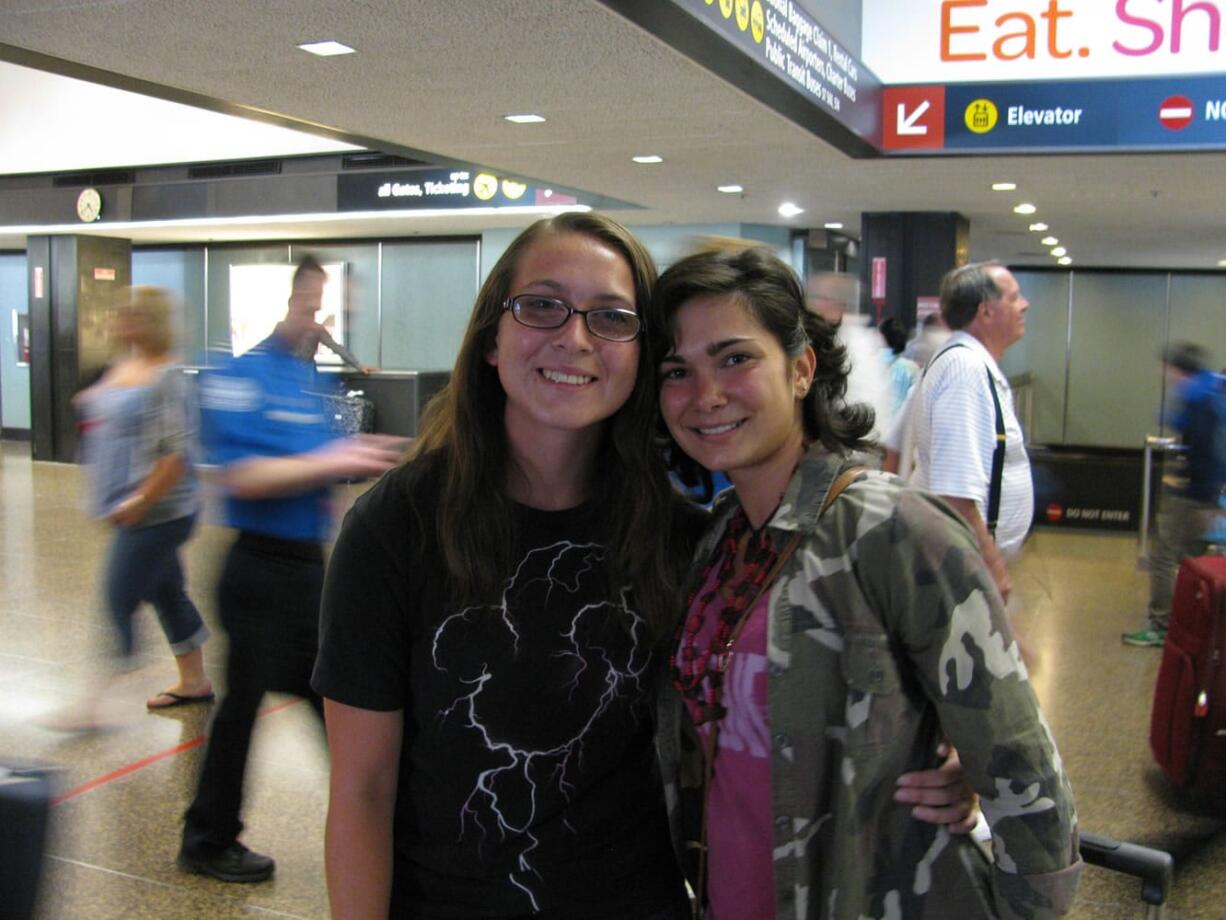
(1181, 113)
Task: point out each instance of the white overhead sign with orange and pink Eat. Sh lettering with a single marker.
(984, 41)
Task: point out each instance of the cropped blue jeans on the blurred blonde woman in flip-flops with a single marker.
(143, 565)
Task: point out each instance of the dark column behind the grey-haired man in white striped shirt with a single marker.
(919, 248)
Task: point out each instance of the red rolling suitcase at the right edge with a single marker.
(1189, 726)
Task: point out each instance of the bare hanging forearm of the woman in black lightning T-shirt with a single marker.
(365, 749)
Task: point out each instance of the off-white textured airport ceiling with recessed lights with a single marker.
(437, 77)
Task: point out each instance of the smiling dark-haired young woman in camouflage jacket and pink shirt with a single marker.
(829, 647)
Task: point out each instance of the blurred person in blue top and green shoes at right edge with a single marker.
(1190, 502)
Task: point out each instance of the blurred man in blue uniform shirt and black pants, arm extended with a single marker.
(263, 427)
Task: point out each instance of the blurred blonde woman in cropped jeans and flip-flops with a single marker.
(140, 480)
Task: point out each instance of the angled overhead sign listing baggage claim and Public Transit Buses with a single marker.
(800, 68)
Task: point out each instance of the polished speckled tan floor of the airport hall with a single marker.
(116, 831)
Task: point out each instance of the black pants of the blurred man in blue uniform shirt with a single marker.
(268, 598)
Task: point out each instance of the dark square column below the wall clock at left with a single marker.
(74, 282)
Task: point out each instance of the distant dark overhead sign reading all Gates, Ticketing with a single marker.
(427, 190)
